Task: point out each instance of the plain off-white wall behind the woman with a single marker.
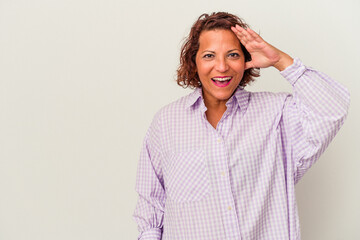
(80, 81)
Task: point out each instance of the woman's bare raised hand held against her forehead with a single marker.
(263, 54)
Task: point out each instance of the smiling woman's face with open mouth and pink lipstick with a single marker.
(220, 64)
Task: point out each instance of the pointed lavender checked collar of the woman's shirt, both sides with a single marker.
(241, 96)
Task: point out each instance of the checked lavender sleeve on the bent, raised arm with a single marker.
(312, 115)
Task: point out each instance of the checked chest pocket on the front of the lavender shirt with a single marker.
(188, 178)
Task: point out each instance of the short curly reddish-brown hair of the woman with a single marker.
(186, 74)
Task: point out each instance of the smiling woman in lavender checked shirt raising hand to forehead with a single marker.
(222, 162)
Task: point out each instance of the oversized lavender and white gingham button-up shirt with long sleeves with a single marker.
(236, 181)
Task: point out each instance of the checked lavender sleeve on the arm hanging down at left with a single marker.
(150, 187)
